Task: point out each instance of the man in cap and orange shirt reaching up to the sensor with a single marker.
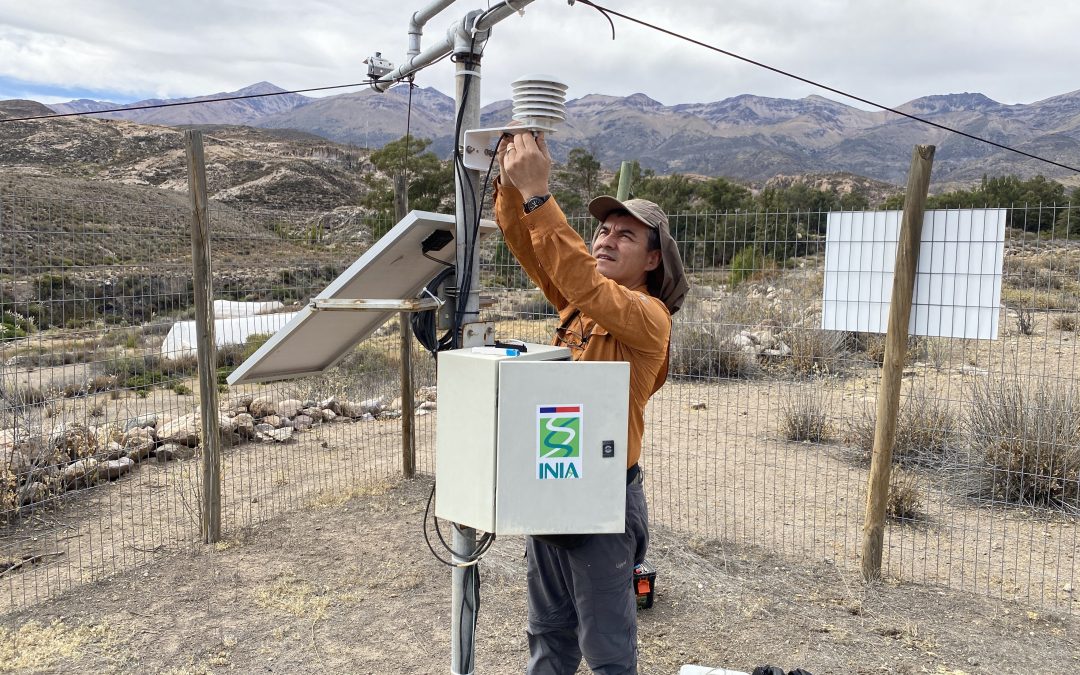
(615, 304)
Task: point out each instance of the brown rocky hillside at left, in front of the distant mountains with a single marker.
(273, 192)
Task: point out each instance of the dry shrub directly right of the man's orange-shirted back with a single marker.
(697, 353)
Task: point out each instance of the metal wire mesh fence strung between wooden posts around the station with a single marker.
(760, 437)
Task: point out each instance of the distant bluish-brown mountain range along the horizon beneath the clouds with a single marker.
(748, 139)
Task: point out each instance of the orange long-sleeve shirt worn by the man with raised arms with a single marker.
(622, 323)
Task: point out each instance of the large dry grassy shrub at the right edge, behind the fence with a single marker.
(1028, 437)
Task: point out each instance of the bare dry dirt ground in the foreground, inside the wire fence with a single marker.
(349, 587)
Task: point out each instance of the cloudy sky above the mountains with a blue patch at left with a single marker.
(888, 51)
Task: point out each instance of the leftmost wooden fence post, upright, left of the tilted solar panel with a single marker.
(211, 511)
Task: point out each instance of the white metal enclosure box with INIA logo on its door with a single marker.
(533, 444)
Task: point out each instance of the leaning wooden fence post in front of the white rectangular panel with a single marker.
(896, 348)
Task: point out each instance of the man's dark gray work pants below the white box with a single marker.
(583, 601)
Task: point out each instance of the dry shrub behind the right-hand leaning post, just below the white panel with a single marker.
(926, 430)
